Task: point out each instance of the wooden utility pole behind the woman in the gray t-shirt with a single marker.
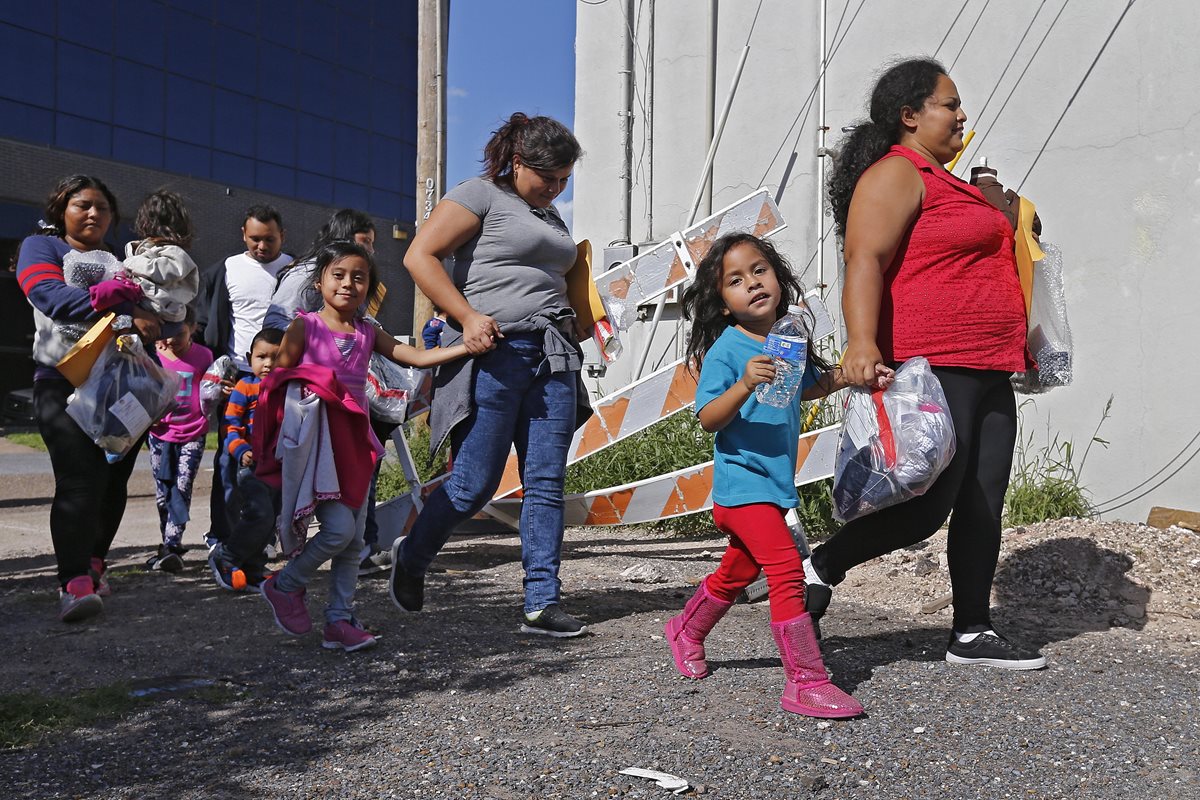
(433, 27)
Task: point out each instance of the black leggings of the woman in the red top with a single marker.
(974, 485)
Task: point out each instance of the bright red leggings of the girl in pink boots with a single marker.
(759, 540)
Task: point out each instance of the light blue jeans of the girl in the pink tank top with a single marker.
(339, 542)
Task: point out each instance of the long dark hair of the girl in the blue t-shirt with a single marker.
(704, 306)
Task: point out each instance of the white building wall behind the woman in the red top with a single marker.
(1118, 185)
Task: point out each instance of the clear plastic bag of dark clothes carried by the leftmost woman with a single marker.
(127, 393)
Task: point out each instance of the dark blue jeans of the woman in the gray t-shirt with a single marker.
(518, 402)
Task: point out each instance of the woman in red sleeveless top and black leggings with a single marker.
(931, 273)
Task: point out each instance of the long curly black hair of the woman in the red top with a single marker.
(907, 85)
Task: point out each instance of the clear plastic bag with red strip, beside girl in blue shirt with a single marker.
(895, 443)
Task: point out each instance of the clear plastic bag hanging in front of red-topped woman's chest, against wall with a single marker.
(1049, 335)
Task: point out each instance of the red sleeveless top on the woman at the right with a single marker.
(952, 294)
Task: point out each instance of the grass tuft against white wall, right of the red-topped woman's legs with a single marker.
(1047, 483)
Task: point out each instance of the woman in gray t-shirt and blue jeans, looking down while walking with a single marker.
(506, 300)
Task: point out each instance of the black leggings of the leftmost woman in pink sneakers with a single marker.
(89, 494)
